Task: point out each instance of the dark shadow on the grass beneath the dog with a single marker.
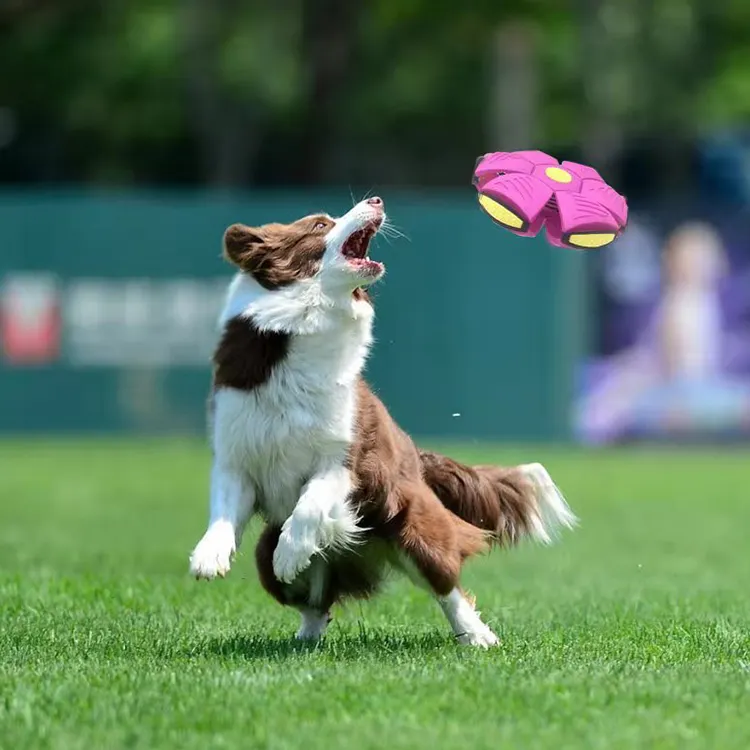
(340, 647)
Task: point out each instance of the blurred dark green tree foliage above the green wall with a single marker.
(228, 92)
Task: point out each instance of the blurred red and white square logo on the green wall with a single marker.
(30, 320)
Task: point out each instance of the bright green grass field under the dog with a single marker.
(632, 632)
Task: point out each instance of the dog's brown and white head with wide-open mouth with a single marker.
(332, 251)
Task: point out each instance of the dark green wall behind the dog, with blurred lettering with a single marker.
(109, 303)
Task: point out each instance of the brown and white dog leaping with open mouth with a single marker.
(298, 437)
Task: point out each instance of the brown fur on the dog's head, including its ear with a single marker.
(277, 255)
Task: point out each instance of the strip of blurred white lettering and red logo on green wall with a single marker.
(109, 322)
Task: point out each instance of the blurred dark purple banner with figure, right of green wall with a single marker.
(671, 331)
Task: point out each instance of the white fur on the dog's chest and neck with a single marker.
(302, 418)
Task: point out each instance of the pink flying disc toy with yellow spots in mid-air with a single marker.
(526, 190)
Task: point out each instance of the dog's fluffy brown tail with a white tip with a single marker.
(509, 503)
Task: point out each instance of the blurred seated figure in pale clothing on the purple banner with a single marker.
(673, 381)
